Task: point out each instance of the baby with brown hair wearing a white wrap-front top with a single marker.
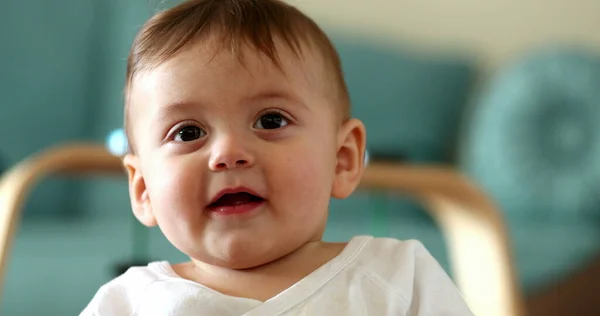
(239, 125)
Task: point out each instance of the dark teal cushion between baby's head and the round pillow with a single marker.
(410, 103)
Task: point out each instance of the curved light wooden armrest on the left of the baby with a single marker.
(17, 182)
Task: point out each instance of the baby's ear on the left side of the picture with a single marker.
(140, 201)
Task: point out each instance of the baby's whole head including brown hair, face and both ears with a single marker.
(238, 118)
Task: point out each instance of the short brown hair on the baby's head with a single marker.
(238, 22)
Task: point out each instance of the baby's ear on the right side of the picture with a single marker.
(350, 158)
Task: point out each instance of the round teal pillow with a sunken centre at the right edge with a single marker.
(533, 140)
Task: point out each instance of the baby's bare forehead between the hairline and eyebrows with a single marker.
(202, 68)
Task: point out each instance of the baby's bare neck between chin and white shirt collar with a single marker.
(272, 278)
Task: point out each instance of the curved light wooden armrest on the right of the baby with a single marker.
(479, 246)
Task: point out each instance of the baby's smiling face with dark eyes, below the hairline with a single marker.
(263, 140)
